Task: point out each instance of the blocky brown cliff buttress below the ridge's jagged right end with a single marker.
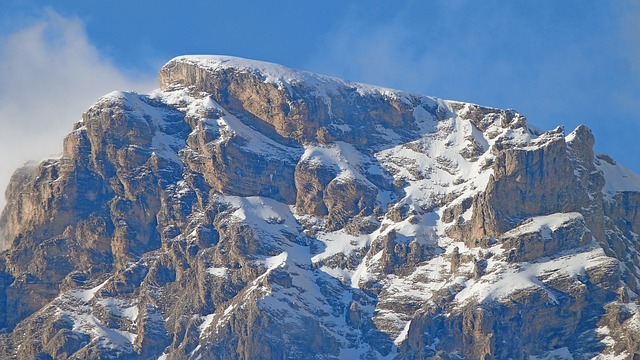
(553, 176)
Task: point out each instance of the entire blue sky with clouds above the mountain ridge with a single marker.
(559, 62)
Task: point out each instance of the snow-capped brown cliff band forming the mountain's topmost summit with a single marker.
(296, 105)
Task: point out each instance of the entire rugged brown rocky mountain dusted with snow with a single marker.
(250, 211)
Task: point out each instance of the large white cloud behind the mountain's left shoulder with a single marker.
(50, 74)
